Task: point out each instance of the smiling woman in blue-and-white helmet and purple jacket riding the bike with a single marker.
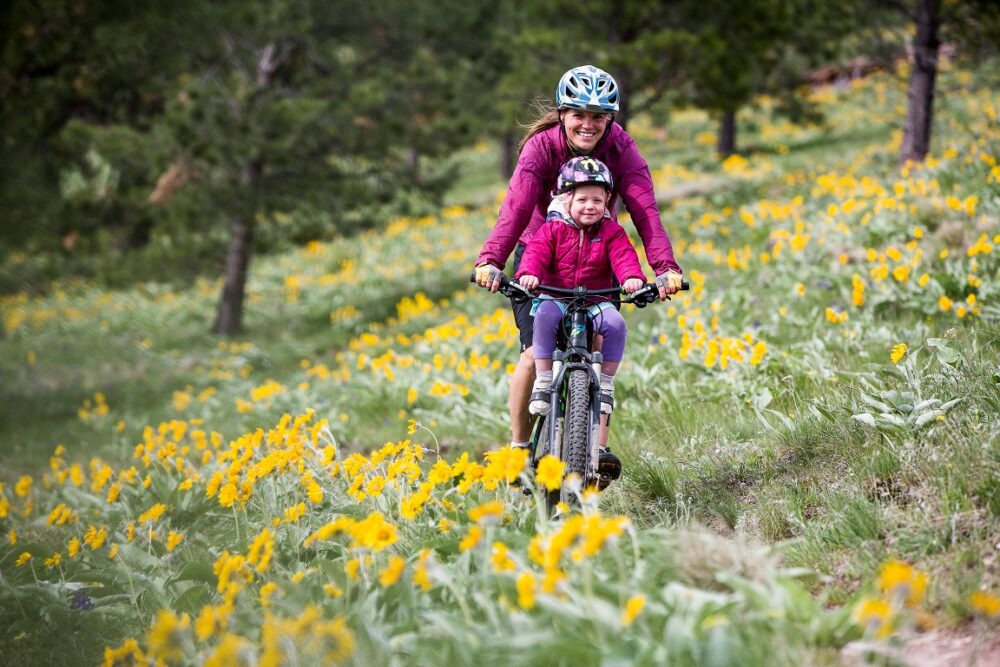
(582, 123)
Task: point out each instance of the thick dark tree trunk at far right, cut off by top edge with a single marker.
(920, 109)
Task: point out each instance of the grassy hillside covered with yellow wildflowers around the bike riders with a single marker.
(809, 435)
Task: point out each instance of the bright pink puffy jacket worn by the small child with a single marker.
(563, 255)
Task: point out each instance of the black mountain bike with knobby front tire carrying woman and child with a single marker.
(569, 431)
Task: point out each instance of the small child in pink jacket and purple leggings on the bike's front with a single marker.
(580, 245)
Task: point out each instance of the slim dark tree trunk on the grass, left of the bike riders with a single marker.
(229, 316)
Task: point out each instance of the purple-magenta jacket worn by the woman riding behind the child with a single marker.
(530, 191)
